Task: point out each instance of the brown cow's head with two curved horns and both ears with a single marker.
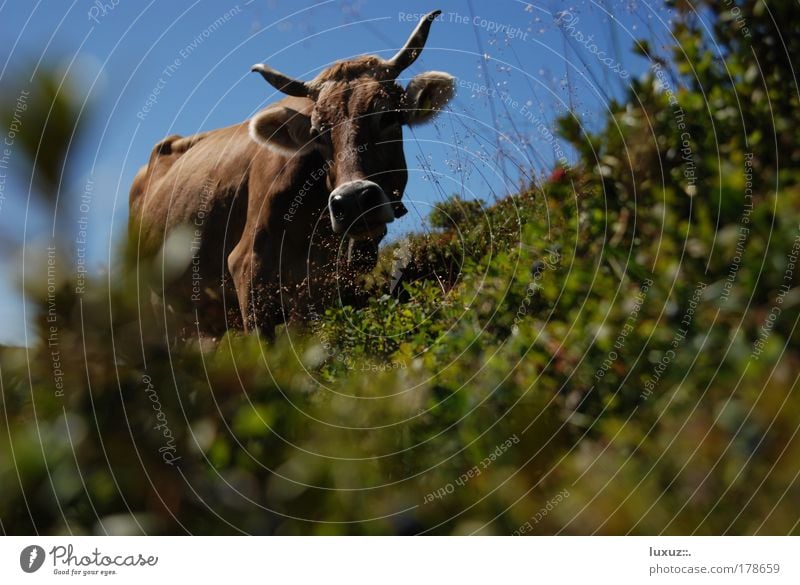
(356, 124)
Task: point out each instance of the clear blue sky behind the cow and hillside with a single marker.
(517, 70)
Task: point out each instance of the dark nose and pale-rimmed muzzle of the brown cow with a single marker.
(361, 209)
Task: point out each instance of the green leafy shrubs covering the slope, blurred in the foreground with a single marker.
(613, 351)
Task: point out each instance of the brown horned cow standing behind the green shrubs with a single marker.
(278, 211)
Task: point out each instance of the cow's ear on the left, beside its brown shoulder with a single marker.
(283, 130)
